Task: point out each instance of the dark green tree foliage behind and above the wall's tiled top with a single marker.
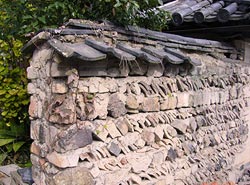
(19, 17)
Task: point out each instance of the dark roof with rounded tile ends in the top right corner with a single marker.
(200, 11)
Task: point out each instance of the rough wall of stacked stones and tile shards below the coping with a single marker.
(137, 129)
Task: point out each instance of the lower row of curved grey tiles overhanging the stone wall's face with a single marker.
(92, 50)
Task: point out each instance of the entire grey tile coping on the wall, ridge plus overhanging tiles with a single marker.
(152, 47)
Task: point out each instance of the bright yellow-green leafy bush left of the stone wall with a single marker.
(13, 94)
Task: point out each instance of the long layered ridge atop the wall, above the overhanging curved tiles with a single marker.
(132, 34)
